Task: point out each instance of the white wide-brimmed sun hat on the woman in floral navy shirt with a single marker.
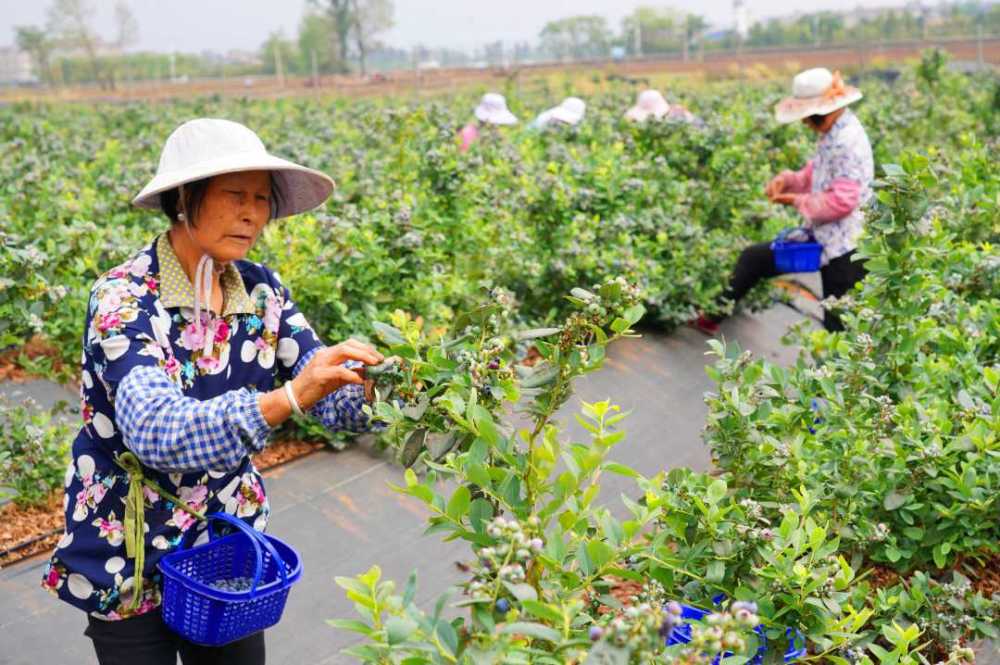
(207, 147)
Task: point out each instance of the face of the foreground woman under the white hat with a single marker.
(232, 214)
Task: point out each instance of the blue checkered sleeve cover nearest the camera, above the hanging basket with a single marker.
(171, 432)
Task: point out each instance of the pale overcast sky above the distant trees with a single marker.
(220, 25)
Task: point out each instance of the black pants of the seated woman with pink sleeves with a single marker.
(756, 262)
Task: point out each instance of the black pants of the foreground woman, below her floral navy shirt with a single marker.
(146, 639)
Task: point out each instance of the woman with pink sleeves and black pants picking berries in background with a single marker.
(829, 191)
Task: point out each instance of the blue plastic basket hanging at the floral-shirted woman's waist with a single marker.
(212, 617)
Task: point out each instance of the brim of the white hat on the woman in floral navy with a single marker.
(300, 188)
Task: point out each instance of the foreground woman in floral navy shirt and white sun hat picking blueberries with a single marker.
(183, 345)
